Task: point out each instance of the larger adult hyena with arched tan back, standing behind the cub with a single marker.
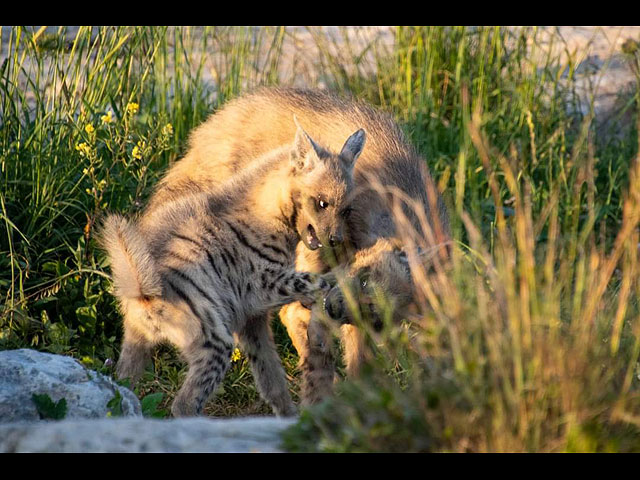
(229, 140)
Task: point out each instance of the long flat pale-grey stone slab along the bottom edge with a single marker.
(134, 435)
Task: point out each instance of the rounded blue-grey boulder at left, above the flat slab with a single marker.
(25, 373)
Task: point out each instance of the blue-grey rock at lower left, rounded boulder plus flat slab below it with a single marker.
(88, 412)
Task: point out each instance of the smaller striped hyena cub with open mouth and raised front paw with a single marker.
(206, 267)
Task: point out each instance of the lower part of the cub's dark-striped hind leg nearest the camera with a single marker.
(208, 360)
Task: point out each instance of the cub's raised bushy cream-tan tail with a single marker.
(132, 267)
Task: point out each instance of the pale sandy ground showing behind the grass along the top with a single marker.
(602, 70)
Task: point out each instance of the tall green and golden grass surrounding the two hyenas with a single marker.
(528, 343)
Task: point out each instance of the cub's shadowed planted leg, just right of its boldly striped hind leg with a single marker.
(257, 343)
